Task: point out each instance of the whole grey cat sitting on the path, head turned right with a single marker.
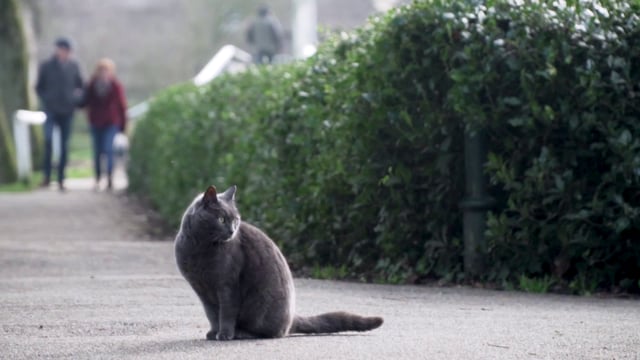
(242, 278)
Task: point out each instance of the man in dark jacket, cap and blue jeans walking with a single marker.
(59, 87)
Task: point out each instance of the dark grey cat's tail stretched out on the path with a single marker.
(333, 322)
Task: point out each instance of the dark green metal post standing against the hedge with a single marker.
(476, 202)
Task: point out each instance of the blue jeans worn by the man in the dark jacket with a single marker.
(63, 122)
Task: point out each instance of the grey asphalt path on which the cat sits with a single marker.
(81, 278)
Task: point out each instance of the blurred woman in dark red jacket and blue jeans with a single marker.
(107, 111)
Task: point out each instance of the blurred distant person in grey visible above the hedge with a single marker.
(265, 36)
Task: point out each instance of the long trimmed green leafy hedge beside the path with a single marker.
(353, 159)
